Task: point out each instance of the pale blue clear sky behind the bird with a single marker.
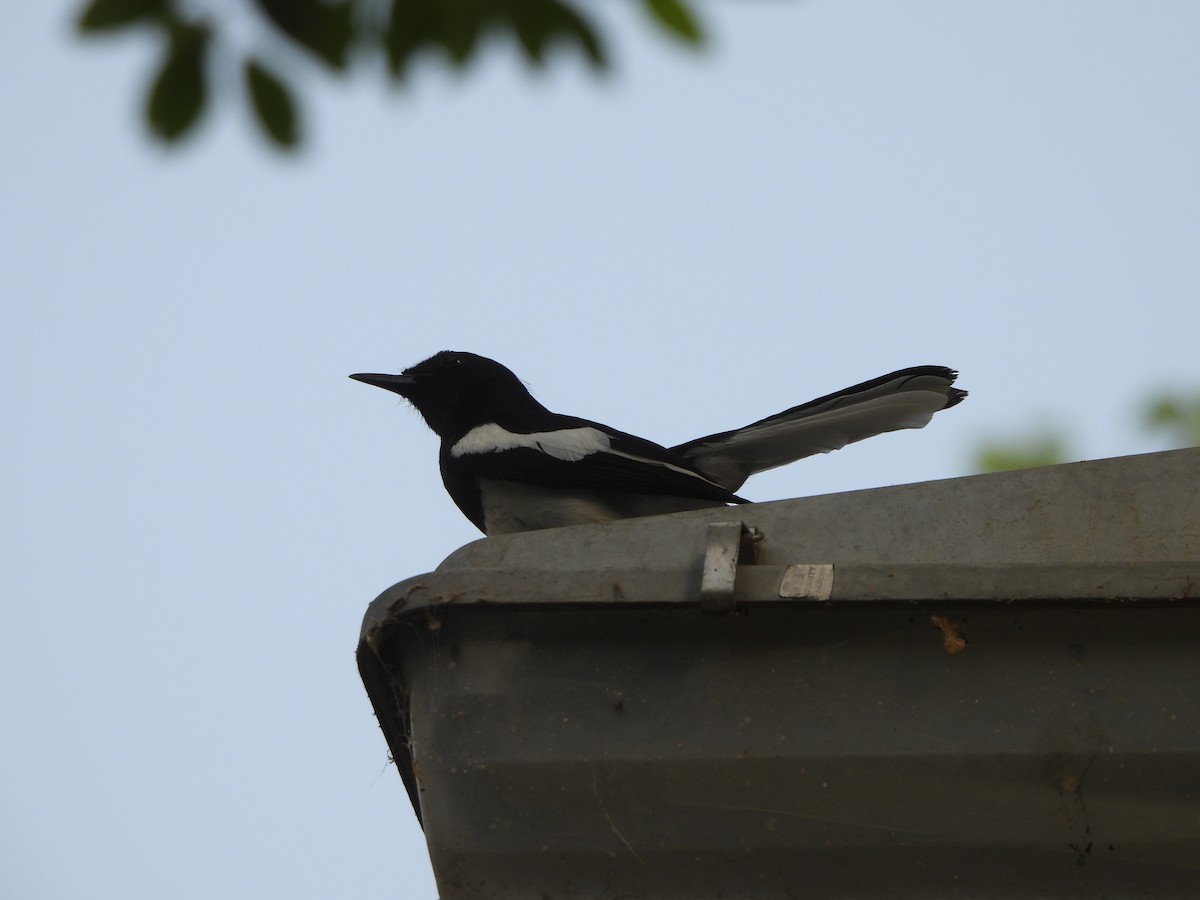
(199, 505)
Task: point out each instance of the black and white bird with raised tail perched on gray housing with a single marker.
(512, 465)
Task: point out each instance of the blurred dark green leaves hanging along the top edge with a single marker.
(334, 33)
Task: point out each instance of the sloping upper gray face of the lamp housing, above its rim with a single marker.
(1131, 508)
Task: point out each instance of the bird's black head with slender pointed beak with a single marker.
(454, 391)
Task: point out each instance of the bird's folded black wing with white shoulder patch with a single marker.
(584, 457)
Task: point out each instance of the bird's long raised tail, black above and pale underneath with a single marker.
(908, 399)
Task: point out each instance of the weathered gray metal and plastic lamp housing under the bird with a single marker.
(999, 698)
